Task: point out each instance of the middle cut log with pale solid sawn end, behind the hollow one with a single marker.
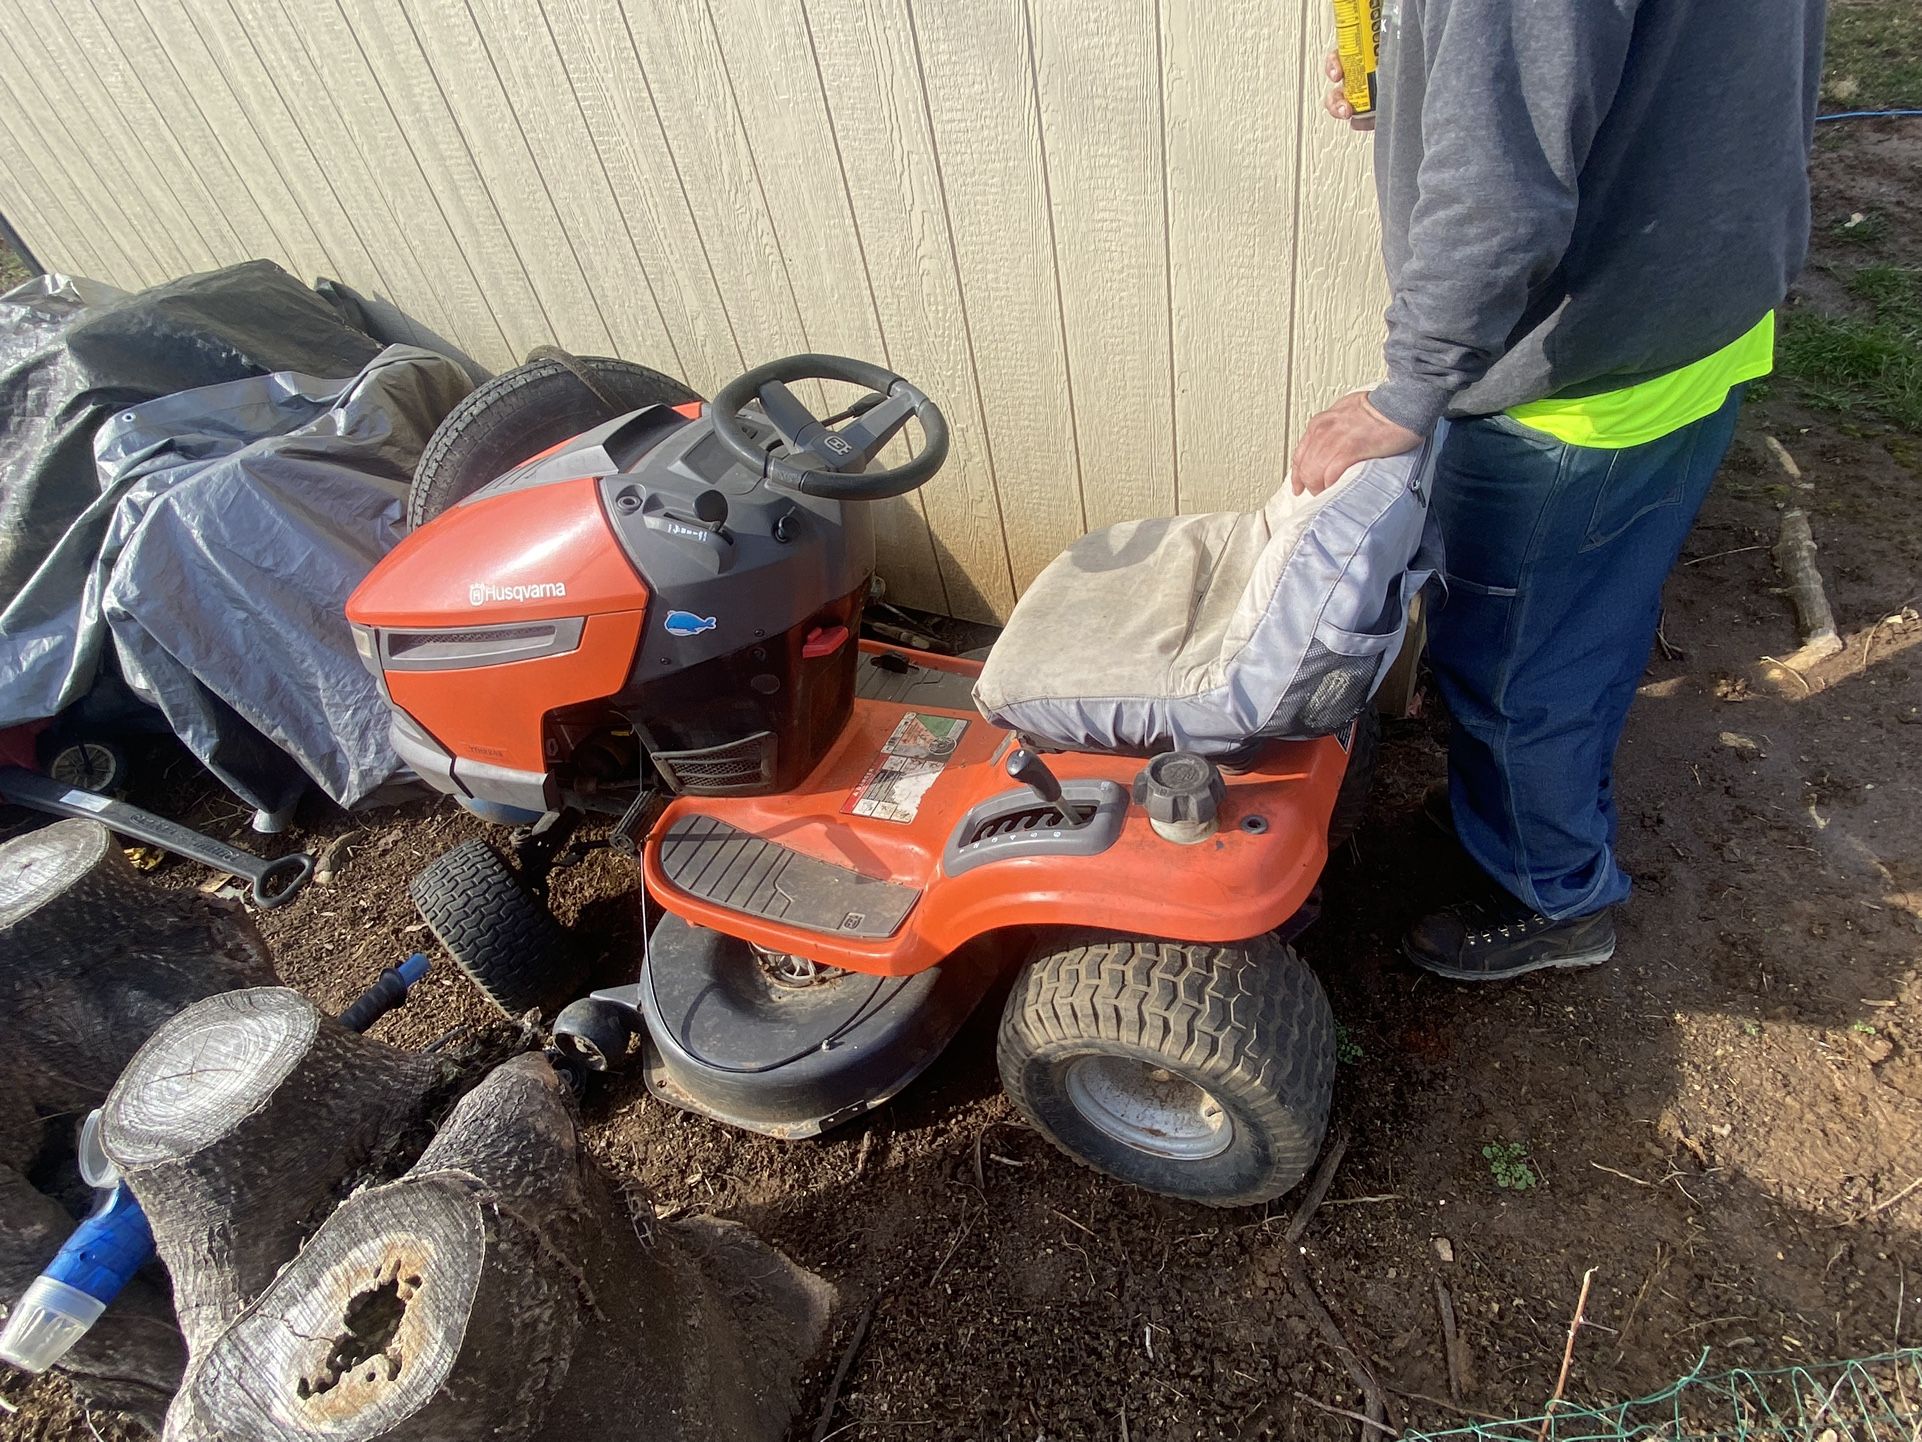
(235, 1128)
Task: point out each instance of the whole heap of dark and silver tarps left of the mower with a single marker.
(191, 484)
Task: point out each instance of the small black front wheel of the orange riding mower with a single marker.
(497, 930)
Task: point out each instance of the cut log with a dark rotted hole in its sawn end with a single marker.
(503, 1289)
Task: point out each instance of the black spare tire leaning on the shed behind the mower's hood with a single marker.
(522, 414)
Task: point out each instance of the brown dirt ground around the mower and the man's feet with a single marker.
(1721, 1124)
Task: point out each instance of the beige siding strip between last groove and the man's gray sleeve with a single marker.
(1341, 289)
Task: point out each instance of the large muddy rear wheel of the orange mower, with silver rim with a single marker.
(1191, 1070)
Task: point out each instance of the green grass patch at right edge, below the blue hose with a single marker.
(1867, 362)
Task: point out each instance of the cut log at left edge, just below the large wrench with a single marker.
(93, 958)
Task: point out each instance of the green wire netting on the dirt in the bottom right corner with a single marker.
(1863, 1401)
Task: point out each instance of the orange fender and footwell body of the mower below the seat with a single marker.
(908, 839)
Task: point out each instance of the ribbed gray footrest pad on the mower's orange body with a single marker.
(727, 866)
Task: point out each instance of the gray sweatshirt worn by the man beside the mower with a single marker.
(1581, 195)
